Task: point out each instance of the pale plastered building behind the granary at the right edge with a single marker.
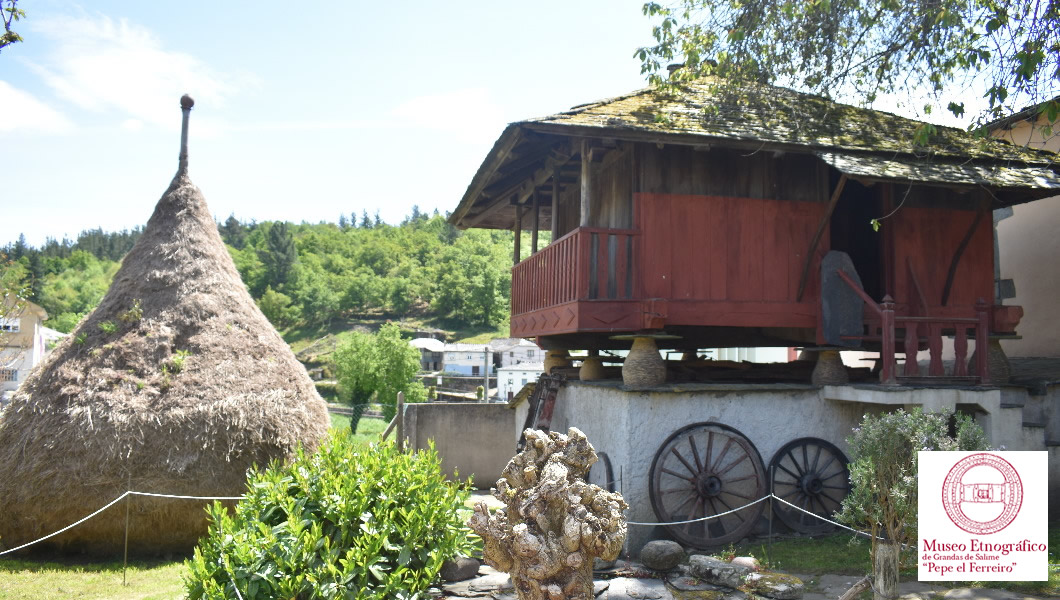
(1028, 242)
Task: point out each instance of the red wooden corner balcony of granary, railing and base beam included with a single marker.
(582, 281)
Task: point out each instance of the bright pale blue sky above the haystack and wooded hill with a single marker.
(304, 111)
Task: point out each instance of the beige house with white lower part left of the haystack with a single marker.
(22, 342)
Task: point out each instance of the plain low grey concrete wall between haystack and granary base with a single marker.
(472, 439)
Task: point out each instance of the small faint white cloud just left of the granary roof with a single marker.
(468, 114)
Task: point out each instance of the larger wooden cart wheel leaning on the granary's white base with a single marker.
(702, 470)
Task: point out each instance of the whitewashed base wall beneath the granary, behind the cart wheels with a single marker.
(632, 426)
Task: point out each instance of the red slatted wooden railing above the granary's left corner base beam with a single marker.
(590, 263)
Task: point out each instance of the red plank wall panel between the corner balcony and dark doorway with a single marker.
(723, 249)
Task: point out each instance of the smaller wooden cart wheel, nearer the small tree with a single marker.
(811, 474)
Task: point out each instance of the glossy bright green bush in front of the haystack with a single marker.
(344, 523)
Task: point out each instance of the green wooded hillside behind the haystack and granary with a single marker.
(303, 275)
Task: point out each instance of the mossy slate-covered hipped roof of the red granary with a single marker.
(870, 144)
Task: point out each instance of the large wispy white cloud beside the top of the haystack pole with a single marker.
(109, 66)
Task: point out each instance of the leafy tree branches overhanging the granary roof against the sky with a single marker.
(1011, 48)
